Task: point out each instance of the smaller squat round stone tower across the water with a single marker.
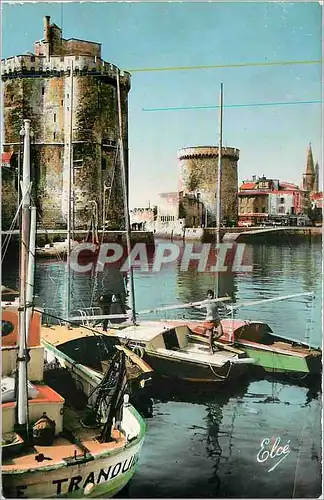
(198, 173)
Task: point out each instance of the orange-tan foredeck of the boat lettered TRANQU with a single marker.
(64, 449)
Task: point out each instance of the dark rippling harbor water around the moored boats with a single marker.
(206, 441)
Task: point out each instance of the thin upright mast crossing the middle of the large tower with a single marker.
(69, 215)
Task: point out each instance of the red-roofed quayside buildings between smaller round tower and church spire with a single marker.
(260, 198)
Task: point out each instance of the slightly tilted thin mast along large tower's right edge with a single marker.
(125, 197)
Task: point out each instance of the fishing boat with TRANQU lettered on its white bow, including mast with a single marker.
(59, 438)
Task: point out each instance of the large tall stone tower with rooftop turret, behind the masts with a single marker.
(69, 94)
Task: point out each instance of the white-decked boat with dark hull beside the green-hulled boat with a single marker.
(172, 352)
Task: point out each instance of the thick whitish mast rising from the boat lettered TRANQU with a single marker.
(22, 396)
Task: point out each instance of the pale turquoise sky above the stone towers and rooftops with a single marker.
(272, 139)
